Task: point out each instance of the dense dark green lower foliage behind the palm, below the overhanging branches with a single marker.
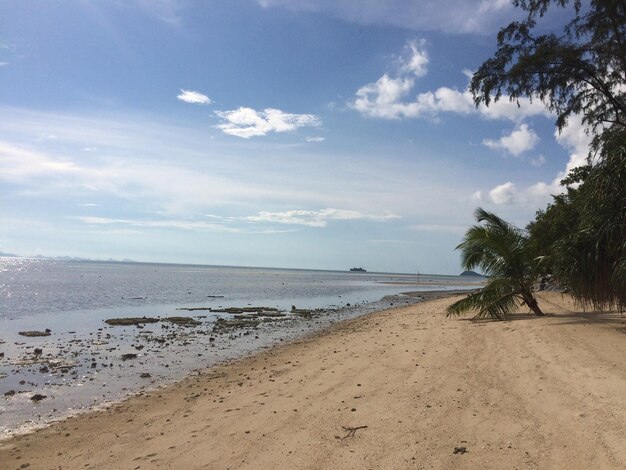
(583, 234)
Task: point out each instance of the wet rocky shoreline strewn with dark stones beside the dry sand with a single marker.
(87, 369)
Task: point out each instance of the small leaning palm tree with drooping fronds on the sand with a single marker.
(502, 252)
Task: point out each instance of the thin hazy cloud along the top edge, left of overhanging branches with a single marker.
(457, 16)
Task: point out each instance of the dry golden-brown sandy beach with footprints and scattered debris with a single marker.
(402, 388)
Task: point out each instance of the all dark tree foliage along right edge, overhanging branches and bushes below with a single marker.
(581, 236)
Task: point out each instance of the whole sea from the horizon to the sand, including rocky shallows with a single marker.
(83, 363)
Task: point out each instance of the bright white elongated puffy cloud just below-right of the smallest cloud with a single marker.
(247, 122)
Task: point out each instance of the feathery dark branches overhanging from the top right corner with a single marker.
(580, 72)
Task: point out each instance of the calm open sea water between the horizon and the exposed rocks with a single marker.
(30, 287)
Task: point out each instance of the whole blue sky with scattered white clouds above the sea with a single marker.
(318, 134)
